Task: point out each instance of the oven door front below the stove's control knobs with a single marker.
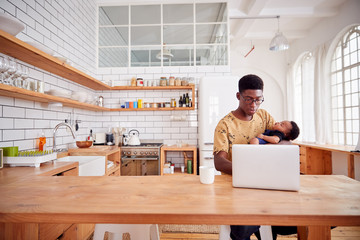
(140, 166)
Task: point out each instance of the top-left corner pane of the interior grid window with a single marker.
(114, 15)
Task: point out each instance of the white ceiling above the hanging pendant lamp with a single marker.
(296, 17)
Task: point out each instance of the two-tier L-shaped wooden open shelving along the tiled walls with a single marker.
(16, 48)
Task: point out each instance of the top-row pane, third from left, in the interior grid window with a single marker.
(178, 13)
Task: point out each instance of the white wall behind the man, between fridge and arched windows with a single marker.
(270, 66)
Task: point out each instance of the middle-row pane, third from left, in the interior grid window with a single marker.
(183, 34)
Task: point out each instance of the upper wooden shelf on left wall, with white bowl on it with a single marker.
(16, 48)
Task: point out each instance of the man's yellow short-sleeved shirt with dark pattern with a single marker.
(231, 130)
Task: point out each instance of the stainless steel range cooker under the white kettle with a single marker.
(141, 160)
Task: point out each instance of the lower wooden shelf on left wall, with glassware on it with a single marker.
(10, 91)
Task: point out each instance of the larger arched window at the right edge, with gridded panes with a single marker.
(345, 85)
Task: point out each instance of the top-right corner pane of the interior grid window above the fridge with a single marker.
(211, 12)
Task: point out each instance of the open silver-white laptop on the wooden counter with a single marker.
(266, 166)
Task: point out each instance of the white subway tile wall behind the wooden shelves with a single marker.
(69, 28)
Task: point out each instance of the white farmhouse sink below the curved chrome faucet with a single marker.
(88, 165)
